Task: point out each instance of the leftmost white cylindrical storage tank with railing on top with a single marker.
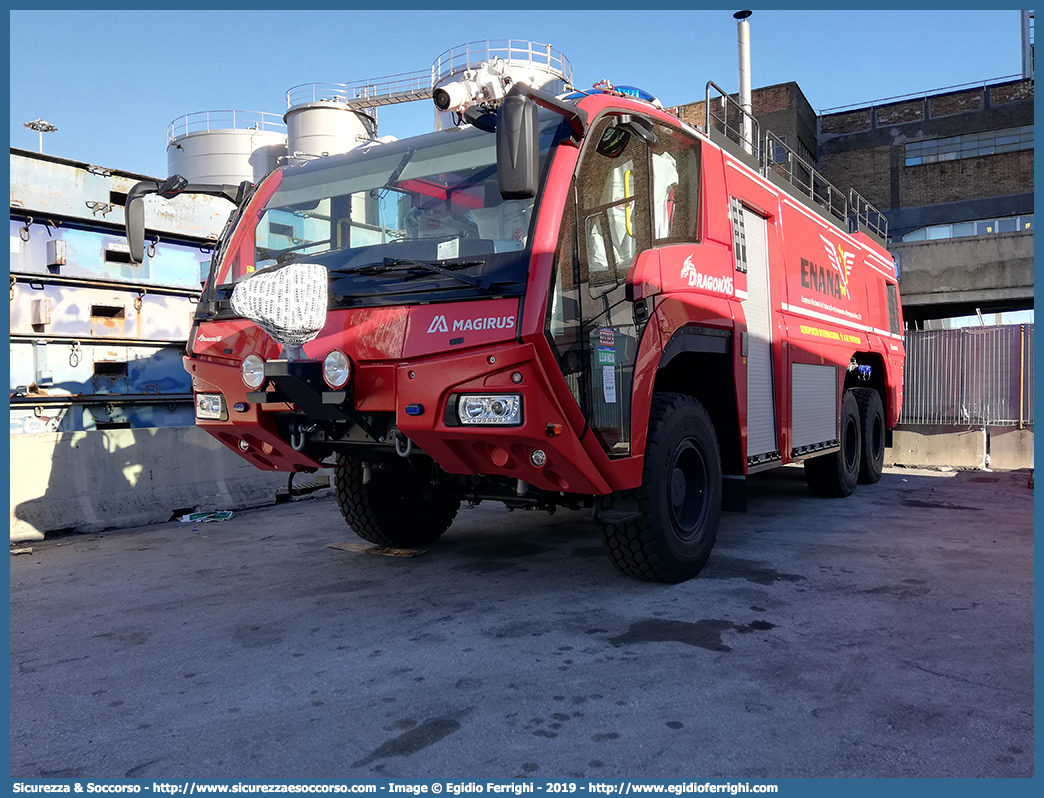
(226, 147)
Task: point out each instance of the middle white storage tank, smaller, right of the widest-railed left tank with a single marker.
(320, 123)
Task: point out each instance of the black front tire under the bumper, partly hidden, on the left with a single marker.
(398, 508)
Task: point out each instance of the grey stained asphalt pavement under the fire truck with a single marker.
(888, 635)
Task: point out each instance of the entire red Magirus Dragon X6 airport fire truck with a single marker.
(571, 301)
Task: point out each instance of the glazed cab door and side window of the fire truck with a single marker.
(624, 200)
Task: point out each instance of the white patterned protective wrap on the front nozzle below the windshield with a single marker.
(288, 302)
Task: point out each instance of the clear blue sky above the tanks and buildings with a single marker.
(113, 81)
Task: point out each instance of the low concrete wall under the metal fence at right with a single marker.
(1009, 449)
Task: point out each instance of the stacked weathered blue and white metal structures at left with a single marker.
(97, 341)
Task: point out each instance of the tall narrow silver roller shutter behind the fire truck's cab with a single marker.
(751, 239)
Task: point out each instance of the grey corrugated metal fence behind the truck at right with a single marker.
(977, 375)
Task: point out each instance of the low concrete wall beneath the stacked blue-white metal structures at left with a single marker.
(88, 482)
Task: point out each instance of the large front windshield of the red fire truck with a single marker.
(433, 199)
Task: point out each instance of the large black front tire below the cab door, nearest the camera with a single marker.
(673, 522)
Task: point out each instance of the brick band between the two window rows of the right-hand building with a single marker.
(966, 179)
